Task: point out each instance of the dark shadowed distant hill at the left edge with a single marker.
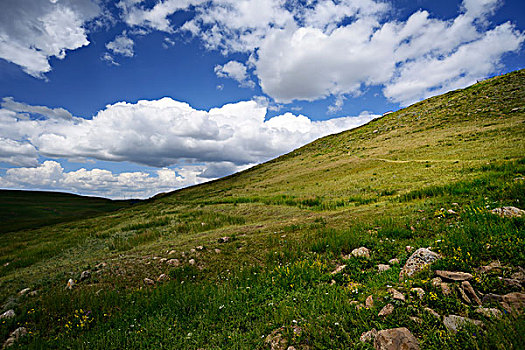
(33, 209)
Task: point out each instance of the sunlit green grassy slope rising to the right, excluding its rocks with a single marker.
(425, 176)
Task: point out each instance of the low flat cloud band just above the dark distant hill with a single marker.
(51, 176)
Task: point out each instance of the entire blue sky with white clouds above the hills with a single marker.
(130, 98)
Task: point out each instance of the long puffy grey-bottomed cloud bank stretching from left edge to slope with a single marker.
(166, 132)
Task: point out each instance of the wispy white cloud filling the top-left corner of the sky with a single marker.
(31, 32)
